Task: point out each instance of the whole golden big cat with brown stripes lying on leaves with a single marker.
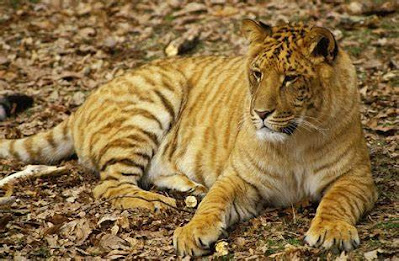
(276, 126)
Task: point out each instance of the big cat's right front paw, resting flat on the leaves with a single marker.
(332, 233)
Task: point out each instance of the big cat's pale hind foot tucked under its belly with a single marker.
(180, 182)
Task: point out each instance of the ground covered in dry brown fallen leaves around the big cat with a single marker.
(58, 51)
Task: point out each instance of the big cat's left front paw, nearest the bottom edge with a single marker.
(196, 238)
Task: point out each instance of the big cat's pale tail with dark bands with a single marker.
(45, 147)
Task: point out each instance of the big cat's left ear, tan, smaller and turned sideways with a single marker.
(255, 31)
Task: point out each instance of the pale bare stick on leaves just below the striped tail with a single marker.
(31, 171)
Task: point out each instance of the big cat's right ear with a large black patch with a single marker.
(320, 42)
